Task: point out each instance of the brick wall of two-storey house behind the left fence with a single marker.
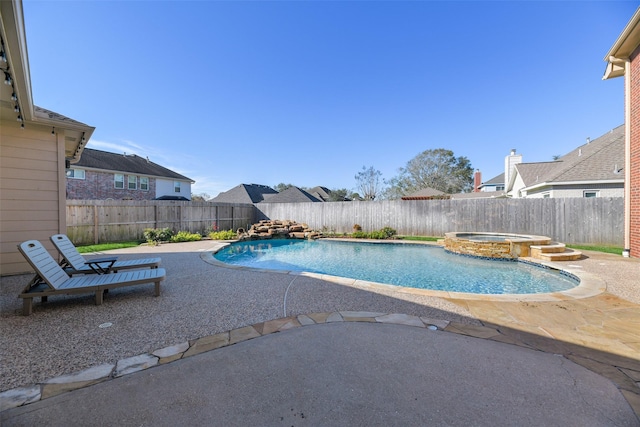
(99, 185)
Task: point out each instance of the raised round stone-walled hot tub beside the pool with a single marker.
(492, 245)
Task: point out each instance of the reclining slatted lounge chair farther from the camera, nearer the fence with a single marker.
(73, 262)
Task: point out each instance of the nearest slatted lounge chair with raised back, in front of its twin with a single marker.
(51, 279)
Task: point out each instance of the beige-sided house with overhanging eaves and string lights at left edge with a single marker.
(36, 145)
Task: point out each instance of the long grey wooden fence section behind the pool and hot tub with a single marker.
(596, 220)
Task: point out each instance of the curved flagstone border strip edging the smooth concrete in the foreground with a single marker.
(626, 378)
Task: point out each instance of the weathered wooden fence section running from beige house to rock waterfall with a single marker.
(100, 221)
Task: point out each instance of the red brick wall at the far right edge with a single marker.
(634, 132)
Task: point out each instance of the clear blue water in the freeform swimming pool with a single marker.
(410, 265)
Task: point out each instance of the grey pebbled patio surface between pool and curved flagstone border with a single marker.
(197, 299)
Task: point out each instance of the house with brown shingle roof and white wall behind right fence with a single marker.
(594, 169)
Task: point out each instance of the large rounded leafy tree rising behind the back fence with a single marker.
(438, 169)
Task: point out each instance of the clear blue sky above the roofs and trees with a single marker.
(309, 92)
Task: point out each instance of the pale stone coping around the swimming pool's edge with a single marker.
(589, 286)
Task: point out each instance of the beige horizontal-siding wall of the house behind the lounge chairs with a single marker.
(31, 204)
